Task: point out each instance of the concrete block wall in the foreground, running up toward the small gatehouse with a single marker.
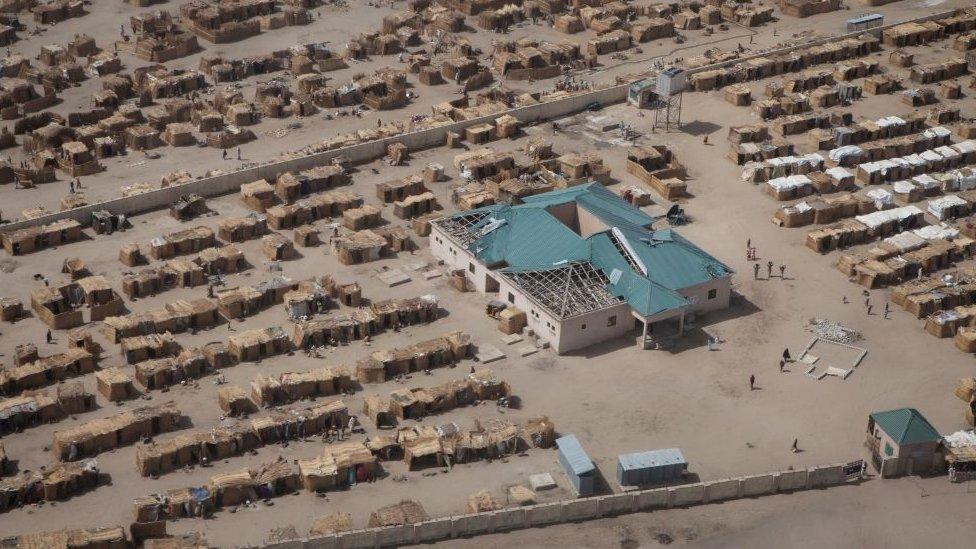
(578, 509)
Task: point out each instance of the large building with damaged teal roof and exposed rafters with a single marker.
(584, 265)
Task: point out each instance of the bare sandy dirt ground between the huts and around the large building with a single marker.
(614, 397)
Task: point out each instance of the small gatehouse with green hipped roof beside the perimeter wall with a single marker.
(903, 442)
